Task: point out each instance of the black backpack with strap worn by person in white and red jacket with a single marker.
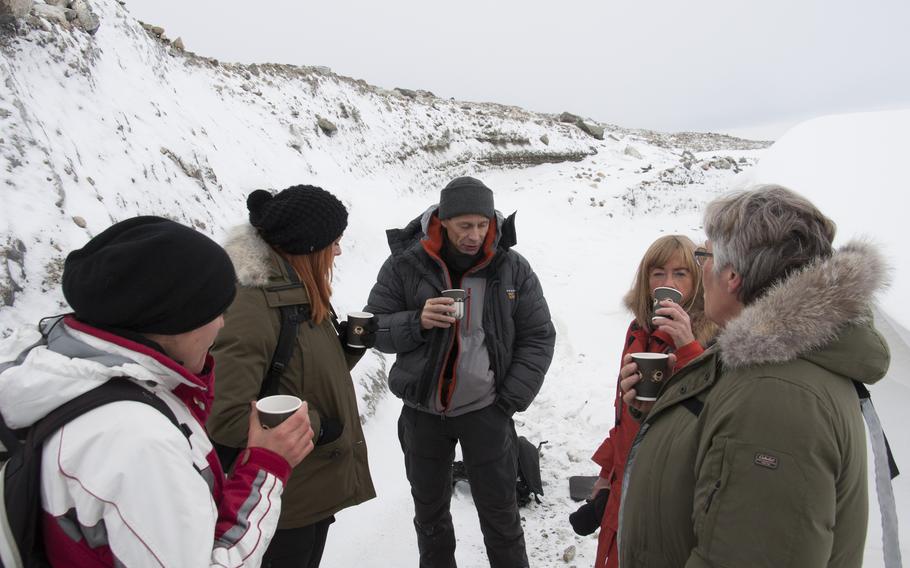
(21, 542)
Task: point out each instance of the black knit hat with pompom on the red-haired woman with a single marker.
(300, 219)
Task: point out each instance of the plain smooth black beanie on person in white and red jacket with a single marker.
(149, 275)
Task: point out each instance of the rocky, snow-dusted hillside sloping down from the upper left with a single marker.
(98, 128)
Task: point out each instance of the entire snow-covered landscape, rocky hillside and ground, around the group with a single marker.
(97, 129)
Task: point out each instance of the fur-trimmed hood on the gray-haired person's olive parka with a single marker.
(816, 313)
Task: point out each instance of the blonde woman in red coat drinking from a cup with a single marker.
(679, 328)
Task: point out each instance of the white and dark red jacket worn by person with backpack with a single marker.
(120, 485)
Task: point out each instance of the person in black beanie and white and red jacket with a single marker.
(121, 485)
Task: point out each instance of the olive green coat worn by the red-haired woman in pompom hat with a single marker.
(335, 475)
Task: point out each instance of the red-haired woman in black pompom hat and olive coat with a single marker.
(283, 259)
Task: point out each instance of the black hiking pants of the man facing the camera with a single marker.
(487, 439)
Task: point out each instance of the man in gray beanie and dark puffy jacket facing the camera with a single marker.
(462, 379)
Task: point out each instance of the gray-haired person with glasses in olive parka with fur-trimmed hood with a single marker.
(754, 454)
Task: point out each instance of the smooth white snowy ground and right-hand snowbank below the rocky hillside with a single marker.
(586, 256)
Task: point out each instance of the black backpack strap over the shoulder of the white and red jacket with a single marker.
(22, 473)
